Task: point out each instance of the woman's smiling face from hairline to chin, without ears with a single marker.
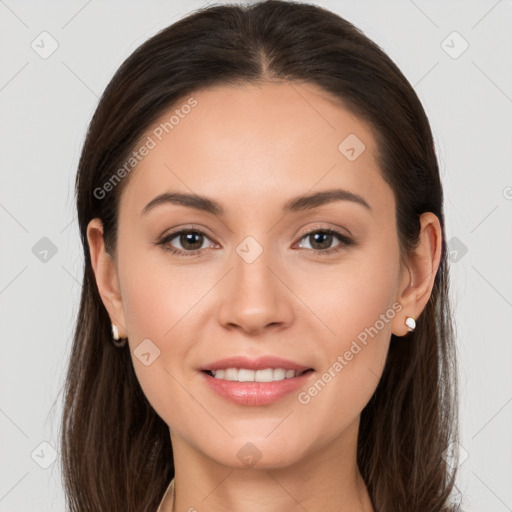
(315, 284)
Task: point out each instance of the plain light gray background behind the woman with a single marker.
(46, 104)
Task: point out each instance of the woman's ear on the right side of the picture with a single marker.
(419, 273)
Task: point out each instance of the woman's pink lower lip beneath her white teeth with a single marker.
(255, 393)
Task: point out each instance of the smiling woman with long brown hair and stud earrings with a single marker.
(264, 321)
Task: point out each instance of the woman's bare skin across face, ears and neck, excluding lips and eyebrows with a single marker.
(239, 145)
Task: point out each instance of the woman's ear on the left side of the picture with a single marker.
(105, 273)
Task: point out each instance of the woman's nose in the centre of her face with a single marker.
(254, 296)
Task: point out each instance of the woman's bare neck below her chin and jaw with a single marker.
(327, 479)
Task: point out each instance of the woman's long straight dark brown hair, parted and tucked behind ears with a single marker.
(116, 451)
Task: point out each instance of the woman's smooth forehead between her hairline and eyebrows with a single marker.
(240, 144)
